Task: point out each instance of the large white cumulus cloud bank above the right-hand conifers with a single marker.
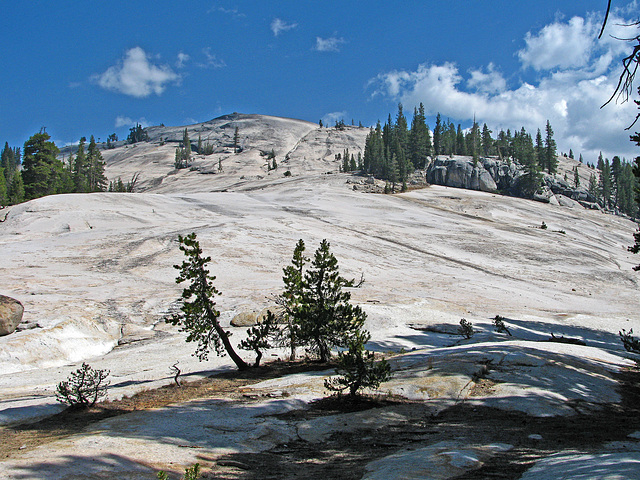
(572, 85)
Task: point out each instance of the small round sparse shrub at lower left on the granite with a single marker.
(83, 388)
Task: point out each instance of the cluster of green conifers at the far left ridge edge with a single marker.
(38, 171)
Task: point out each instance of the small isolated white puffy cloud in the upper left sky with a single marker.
(136, 76)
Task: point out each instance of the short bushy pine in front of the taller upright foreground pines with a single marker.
(357, 368)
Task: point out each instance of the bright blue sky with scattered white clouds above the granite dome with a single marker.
(82, 68)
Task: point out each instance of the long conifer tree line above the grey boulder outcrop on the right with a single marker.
(394, 150)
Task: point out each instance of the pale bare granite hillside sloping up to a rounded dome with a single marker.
(94, 272)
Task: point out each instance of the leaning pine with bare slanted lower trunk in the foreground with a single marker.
(198, 316)
